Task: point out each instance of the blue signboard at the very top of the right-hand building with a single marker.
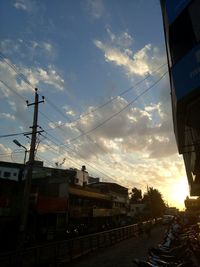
(174, 8)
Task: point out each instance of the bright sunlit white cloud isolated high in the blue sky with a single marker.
(117, 51)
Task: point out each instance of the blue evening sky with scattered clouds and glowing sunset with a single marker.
(102, 68)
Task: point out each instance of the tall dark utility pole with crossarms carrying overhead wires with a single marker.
(29, 167)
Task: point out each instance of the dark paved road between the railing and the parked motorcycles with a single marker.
(122, 254)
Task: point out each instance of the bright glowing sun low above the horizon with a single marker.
(178, 193)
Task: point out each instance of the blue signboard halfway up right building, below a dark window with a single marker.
(186, 73)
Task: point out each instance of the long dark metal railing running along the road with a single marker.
(60, 252)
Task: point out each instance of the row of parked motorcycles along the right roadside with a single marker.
(180, 248)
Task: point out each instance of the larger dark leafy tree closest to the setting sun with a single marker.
(155, 204)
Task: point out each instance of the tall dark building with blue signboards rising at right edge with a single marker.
(182, 35)
